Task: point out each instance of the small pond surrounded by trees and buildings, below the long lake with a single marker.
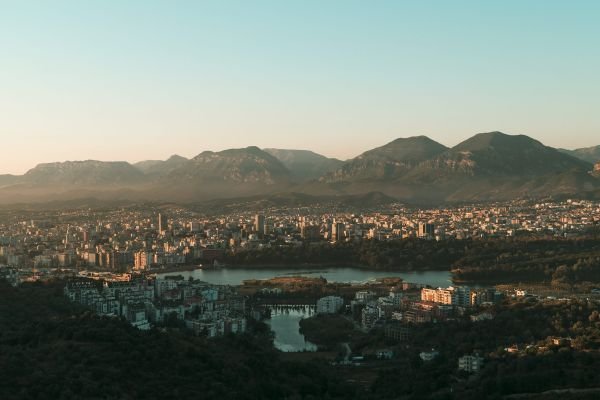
(286, 326)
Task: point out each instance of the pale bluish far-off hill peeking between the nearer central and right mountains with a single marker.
(304, 164)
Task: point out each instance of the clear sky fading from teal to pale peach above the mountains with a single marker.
(134, 80)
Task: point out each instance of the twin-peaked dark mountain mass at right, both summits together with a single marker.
(488, 166)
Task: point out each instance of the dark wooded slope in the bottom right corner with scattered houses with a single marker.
(540, 364)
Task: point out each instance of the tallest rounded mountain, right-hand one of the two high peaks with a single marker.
(496, 166)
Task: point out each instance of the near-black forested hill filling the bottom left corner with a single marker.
(51, 349)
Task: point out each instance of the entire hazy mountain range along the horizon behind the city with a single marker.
(486, 167)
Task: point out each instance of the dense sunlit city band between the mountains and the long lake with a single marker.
(135, 239)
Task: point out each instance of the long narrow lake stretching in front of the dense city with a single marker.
(236, 276)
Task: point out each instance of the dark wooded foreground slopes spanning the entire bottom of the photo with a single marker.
(51, 349)
